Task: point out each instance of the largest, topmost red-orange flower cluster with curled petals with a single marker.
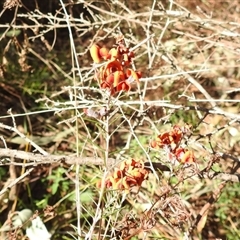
(116, 74)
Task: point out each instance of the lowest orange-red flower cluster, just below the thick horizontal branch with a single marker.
(130, 173)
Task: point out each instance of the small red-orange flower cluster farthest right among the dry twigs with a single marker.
(172, 141)
